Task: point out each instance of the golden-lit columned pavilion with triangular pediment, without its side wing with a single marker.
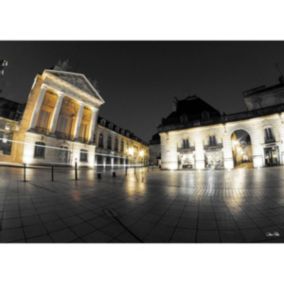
(59, 120)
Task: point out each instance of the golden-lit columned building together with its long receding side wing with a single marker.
(59, 126)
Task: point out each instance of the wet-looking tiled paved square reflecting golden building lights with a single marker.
(242, 205)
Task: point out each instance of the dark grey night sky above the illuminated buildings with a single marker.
(138, 80)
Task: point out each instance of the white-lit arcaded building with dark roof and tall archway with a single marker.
(197, 136)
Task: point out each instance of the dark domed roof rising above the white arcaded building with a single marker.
(190, 109)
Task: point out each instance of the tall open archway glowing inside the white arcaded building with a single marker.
(242, 149)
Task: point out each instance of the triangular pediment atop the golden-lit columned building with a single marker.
(78, 80)
